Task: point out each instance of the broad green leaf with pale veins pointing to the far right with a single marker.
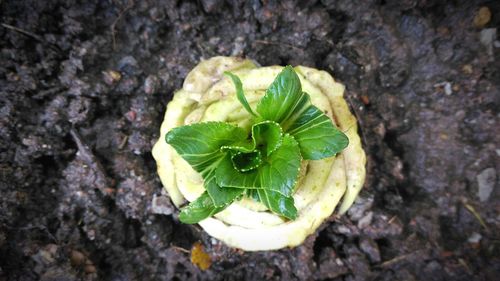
(318, 138)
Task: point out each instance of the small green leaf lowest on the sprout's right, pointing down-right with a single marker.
(278, 203)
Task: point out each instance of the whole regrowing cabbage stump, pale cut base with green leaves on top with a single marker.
(262, 160)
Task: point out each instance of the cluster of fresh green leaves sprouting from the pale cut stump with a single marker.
(263, 163)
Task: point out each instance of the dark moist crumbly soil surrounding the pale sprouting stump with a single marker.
(83, 89)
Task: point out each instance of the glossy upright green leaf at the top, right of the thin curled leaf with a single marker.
(282, 97)
